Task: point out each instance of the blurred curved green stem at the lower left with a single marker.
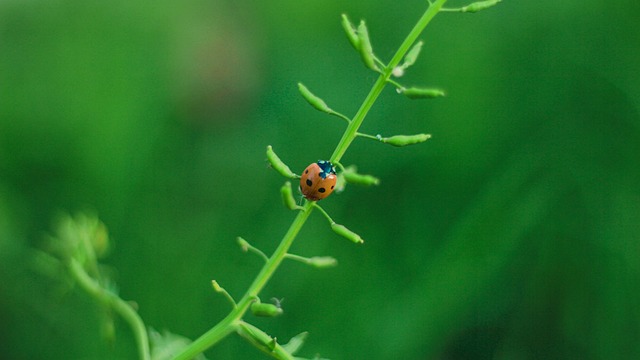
(118, 305)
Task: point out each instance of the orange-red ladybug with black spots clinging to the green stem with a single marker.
(318, 180)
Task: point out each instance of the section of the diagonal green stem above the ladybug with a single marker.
(352, 130)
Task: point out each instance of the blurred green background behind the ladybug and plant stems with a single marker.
(513, 234)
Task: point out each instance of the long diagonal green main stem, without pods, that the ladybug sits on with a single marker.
(230, 323)
